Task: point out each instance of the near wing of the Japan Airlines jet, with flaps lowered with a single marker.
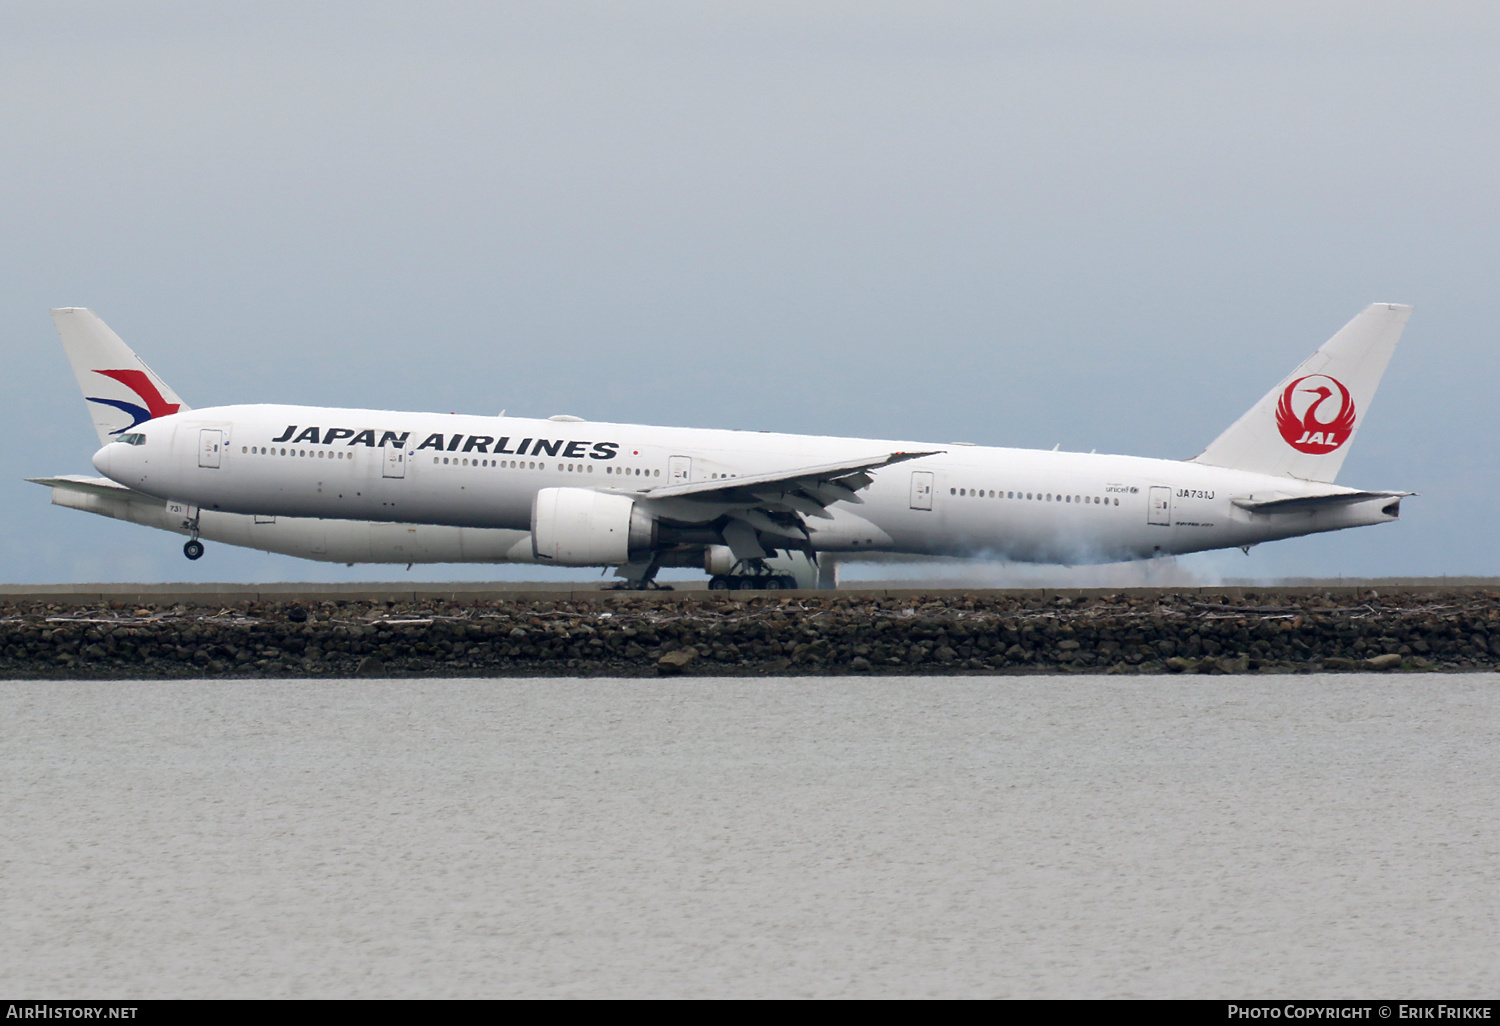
(770, 505)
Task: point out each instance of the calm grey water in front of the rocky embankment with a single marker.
(1219, 836)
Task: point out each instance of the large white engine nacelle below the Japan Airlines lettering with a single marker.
(578, 527)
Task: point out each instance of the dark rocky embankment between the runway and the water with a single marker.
(808, 634)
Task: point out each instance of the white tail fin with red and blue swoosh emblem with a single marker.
(121, 391)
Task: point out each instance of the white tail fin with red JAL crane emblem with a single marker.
(1304, 427)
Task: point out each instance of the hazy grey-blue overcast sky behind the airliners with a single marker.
(1097, 224)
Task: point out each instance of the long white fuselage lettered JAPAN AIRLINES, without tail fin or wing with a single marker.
(485, 472)
